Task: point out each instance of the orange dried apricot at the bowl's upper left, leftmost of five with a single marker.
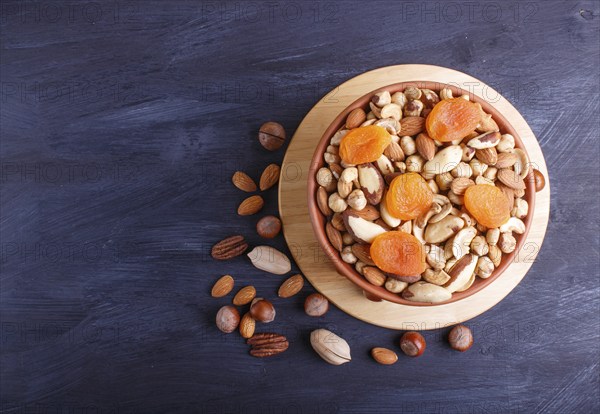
(364, 144)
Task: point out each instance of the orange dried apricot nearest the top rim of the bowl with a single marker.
(452, 119)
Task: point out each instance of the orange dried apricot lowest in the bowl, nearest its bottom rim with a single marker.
(399, 253)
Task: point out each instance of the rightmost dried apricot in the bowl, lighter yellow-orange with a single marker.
(487, 204)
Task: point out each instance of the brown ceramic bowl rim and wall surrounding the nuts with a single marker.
(318, 220)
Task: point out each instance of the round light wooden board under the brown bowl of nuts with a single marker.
(312, 260)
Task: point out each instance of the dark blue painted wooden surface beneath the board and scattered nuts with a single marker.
(122, 123)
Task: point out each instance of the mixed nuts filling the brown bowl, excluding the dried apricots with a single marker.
(458, 248)
